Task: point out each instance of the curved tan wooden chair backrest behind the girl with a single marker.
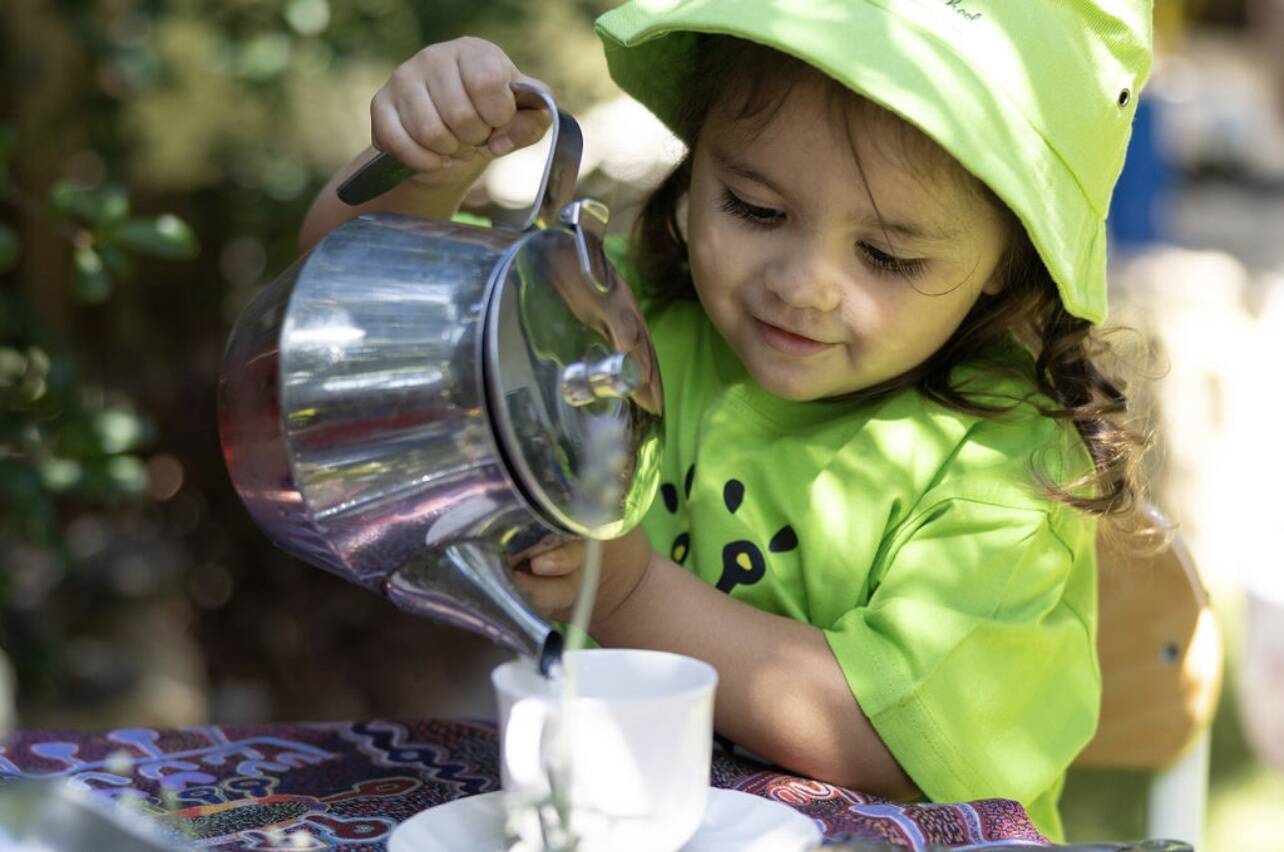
(1161, 658)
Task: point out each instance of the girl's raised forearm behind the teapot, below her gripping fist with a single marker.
(437, 197)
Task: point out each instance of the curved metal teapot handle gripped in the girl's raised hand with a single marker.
(557, 187)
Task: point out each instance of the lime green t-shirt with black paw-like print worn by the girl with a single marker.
(960, 604)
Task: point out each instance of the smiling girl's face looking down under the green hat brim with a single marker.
(794, 268)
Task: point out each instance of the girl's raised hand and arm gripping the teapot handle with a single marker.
(446, 112)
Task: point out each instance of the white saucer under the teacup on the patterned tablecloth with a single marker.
(734, 822)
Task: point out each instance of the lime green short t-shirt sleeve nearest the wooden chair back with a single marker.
(975, 656)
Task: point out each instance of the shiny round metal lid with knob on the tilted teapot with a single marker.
(573, 380)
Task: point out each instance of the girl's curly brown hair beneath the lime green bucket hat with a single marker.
(752, 83)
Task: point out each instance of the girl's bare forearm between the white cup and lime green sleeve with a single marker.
(781, 692)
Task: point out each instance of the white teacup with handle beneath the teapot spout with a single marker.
(639, 742)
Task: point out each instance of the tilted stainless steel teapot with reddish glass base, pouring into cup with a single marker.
(415, 404)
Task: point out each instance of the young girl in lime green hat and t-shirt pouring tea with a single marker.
(871, 285)
